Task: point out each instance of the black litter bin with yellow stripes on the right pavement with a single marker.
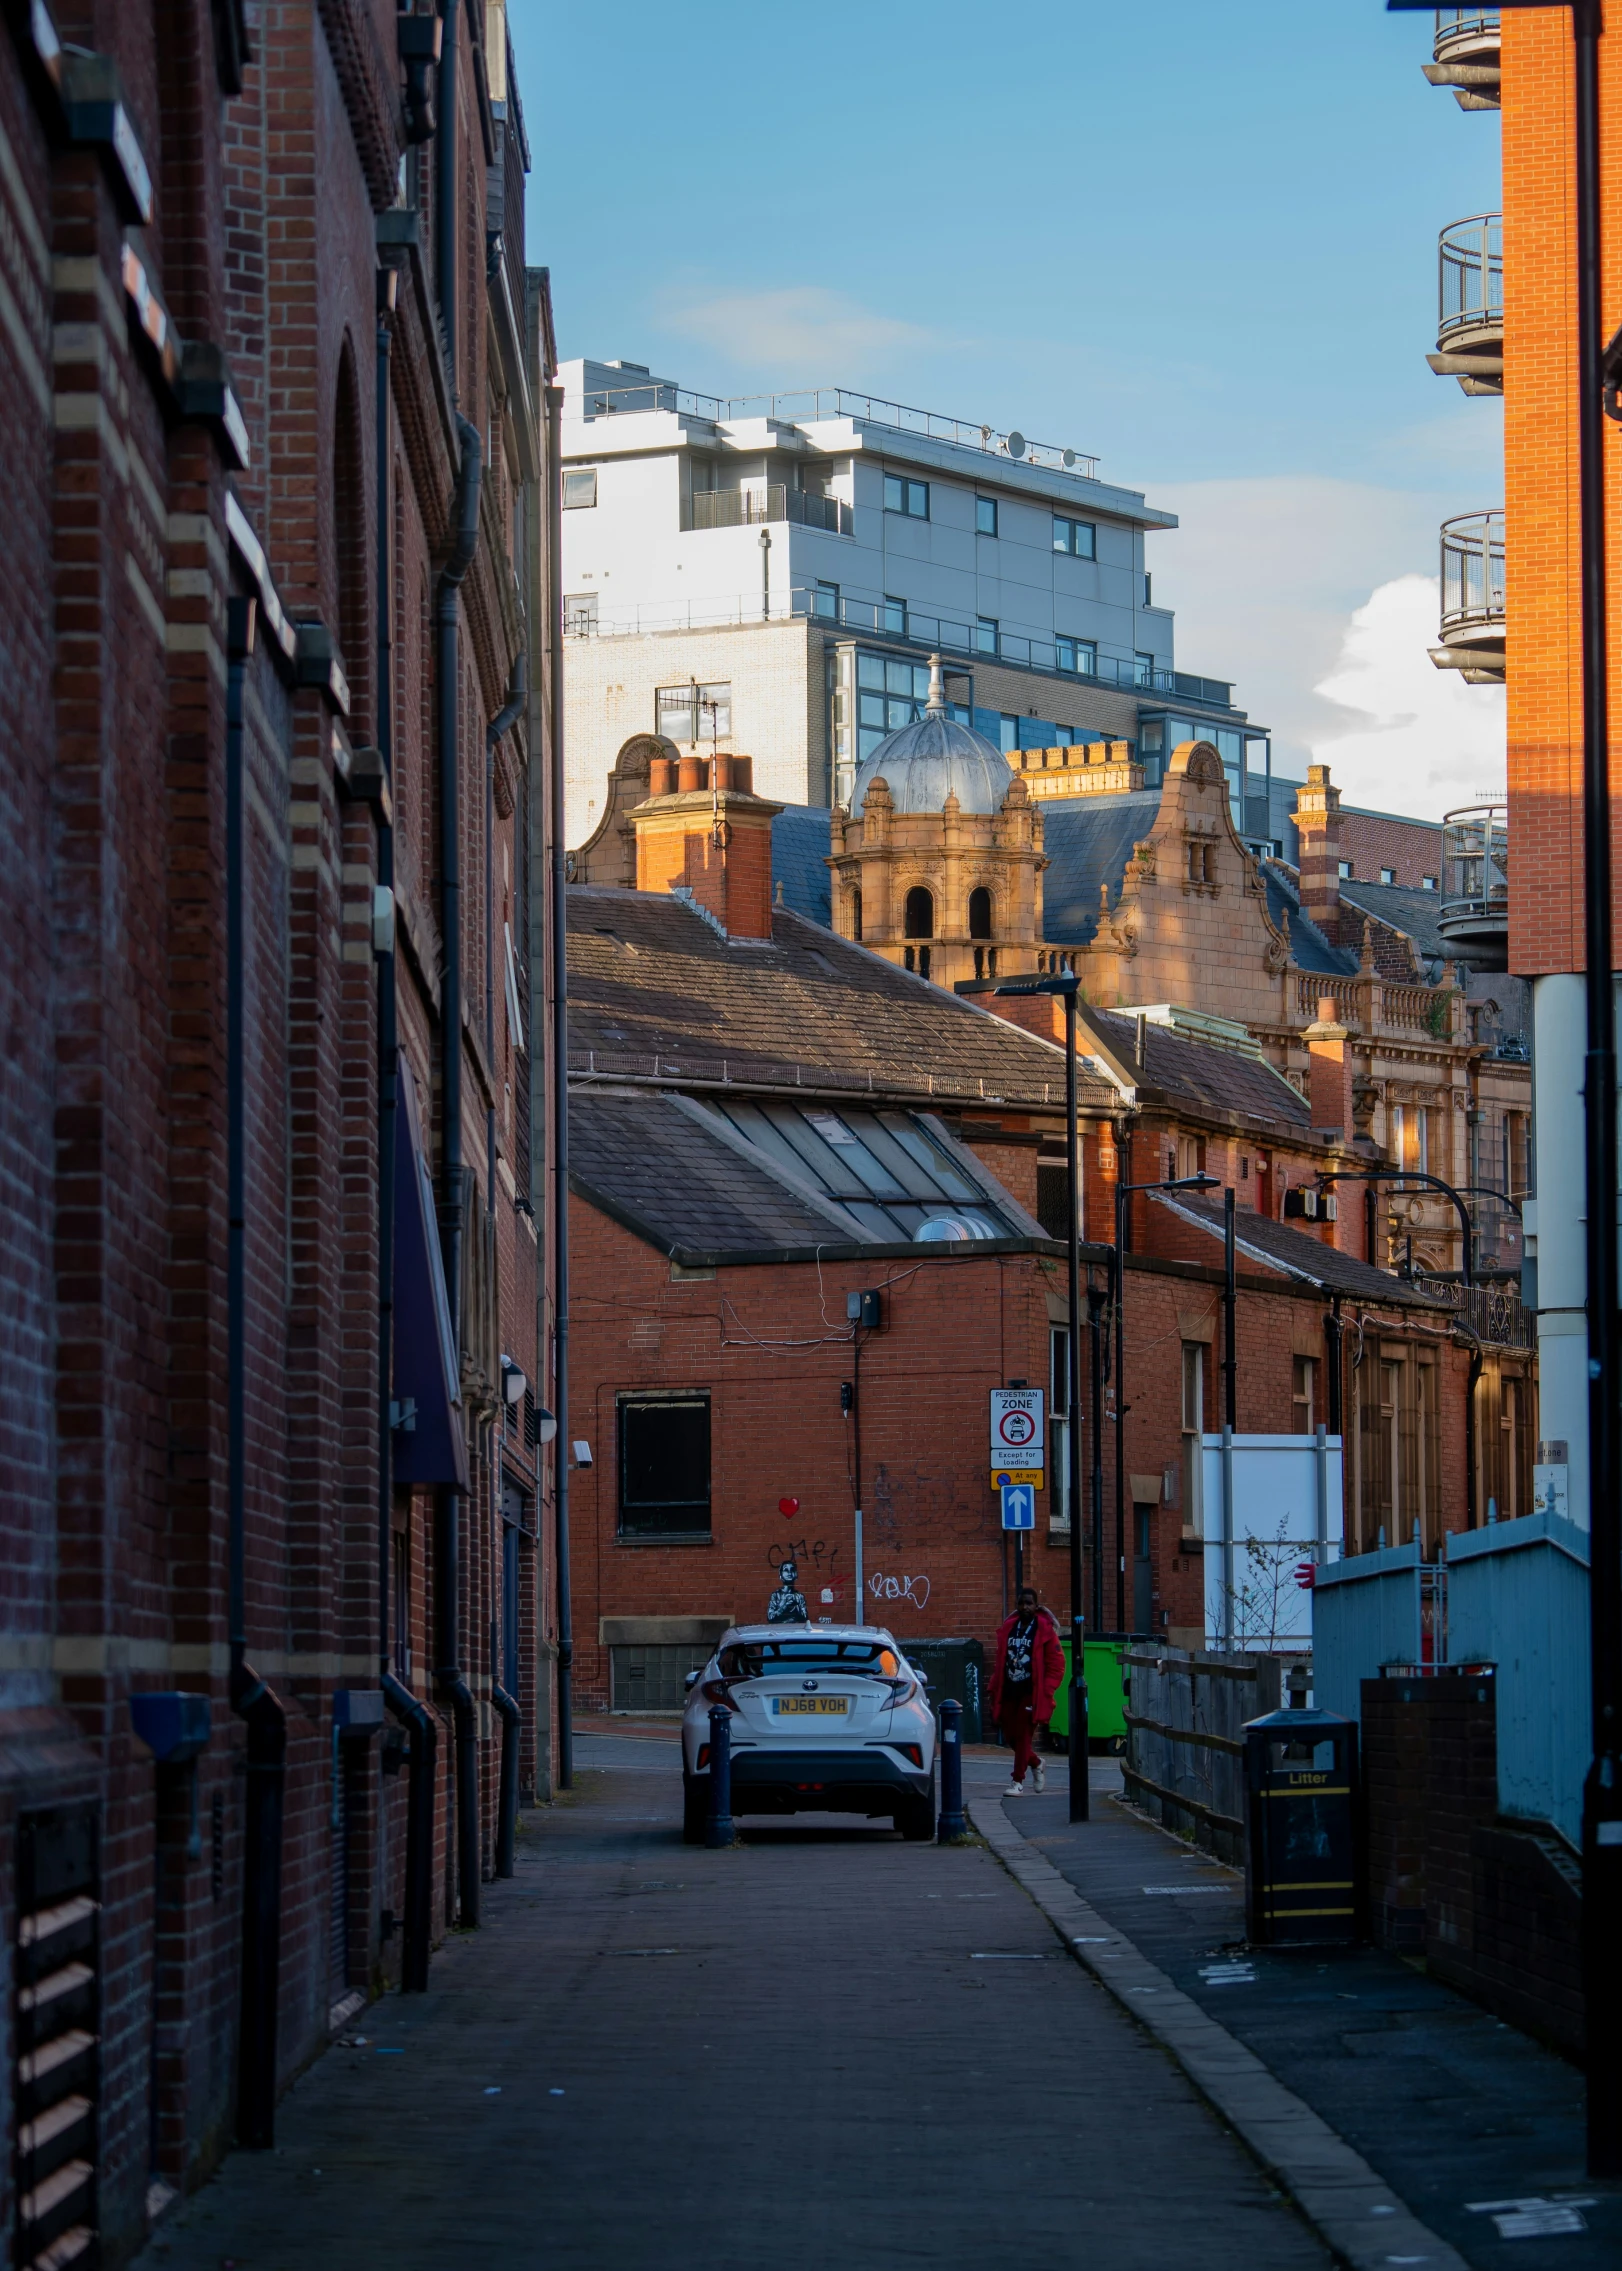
(1303, 1845)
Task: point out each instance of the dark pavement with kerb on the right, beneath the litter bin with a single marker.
(1446, 2104)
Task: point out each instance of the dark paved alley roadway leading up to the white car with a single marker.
(823, 2047)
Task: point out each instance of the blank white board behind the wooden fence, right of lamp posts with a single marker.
(1287, 1511)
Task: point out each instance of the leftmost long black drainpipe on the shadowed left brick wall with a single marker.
(251, 1700)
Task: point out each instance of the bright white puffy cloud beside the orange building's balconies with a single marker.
(1425, 739)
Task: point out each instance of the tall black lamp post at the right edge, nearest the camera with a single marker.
(1603, 1786)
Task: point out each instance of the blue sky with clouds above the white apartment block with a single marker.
(1194, 240)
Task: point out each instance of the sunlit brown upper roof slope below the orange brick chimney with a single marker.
(655, 991)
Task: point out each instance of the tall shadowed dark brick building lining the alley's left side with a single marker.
(253, 1702)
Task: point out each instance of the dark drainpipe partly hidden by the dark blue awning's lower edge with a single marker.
(449, 1500)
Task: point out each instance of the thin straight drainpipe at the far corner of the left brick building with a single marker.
(560, 1096)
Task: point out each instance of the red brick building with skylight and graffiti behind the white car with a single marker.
(769, 1121)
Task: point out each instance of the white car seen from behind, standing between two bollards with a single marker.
(826, 1718)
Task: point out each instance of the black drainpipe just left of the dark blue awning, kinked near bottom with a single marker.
(399, 1700)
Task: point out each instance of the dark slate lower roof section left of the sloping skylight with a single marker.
(667, 1178)
